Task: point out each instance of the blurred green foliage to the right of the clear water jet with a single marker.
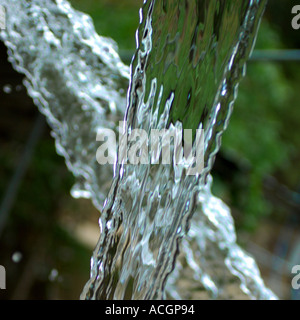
(263, 133)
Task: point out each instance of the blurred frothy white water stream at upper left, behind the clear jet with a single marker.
(75, 77)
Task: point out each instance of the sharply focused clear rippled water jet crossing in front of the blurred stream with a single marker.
(190, 58)
